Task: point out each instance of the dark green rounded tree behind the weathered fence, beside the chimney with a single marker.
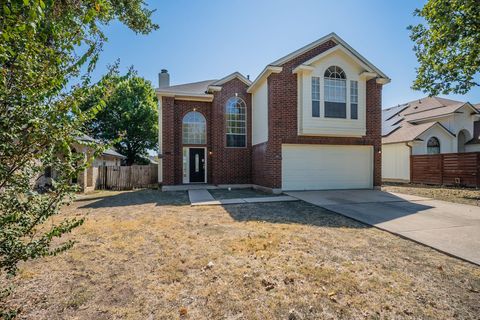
(129, 116)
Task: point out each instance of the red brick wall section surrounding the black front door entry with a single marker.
(224, 165)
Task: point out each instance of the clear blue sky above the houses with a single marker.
(200, 40)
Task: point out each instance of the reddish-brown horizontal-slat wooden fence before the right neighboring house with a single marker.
(462, 169)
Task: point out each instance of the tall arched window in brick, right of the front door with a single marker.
(236, 122)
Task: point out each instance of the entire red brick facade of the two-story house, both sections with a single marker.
(260, 164)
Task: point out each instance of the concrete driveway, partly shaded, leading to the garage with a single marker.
(448, 227)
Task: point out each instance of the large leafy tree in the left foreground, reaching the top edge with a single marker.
(44, 46)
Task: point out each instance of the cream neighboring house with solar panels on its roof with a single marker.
(427, 126)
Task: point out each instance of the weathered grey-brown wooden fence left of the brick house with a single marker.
(126, 178)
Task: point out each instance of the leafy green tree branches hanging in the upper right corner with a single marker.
(447, 46)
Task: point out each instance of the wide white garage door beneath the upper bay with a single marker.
(314, 167)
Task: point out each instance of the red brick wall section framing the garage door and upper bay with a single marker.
(282, 122)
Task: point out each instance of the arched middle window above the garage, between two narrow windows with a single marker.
(335, 93)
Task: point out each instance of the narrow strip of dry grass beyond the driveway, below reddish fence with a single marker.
(458, 195)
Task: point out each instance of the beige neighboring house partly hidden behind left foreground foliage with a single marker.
(86, 179)
